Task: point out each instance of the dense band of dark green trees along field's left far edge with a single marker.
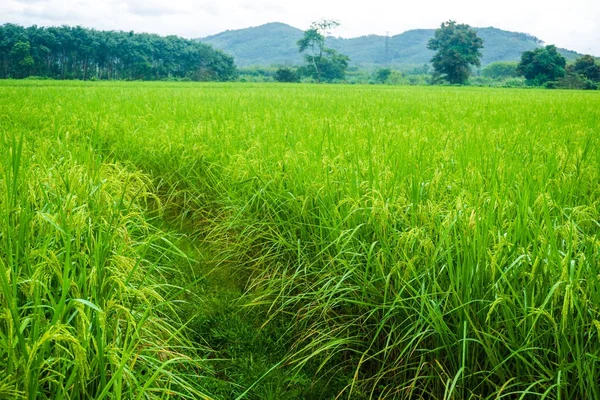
(80, 53)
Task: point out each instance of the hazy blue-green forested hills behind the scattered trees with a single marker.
(275, 43)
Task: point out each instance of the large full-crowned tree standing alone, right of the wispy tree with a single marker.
(457, 47)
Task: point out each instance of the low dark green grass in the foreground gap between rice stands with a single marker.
(249, 353)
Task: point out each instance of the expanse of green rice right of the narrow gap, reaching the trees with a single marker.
(421, 242)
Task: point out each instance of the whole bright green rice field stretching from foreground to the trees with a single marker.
(407, 242)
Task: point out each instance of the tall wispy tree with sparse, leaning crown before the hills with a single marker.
(322, 62)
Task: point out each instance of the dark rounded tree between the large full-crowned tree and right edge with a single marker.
(542, 65)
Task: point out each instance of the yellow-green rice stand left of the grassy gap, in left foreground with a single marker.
(86, 310)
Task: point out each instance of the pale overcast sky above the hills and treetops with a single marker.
(573, 24)
